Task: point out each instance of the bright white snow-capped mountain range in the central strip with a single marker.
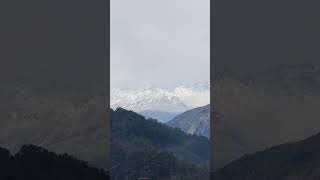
(154, 99)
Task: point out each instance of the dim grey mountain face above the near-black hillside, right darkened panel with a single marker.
(264, 109)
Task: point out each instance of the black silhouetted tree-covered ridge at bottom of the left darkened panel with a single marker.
(35, 163)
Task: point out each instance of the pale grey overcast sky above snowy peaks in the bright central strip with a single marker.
(159, 42)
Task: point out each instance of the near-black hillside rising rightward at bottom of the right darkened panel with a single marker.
(291, 161)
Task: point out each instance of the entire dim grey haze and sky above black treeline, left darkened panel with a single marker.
(53, 77)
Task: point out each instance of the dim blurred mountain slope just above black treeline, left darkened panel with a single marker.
(63, 123)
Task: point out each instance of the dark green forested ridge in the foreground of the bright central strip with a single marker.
(145, 148)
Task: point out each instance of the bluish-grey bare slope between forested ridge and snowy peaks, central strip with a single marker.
(195, 121)
